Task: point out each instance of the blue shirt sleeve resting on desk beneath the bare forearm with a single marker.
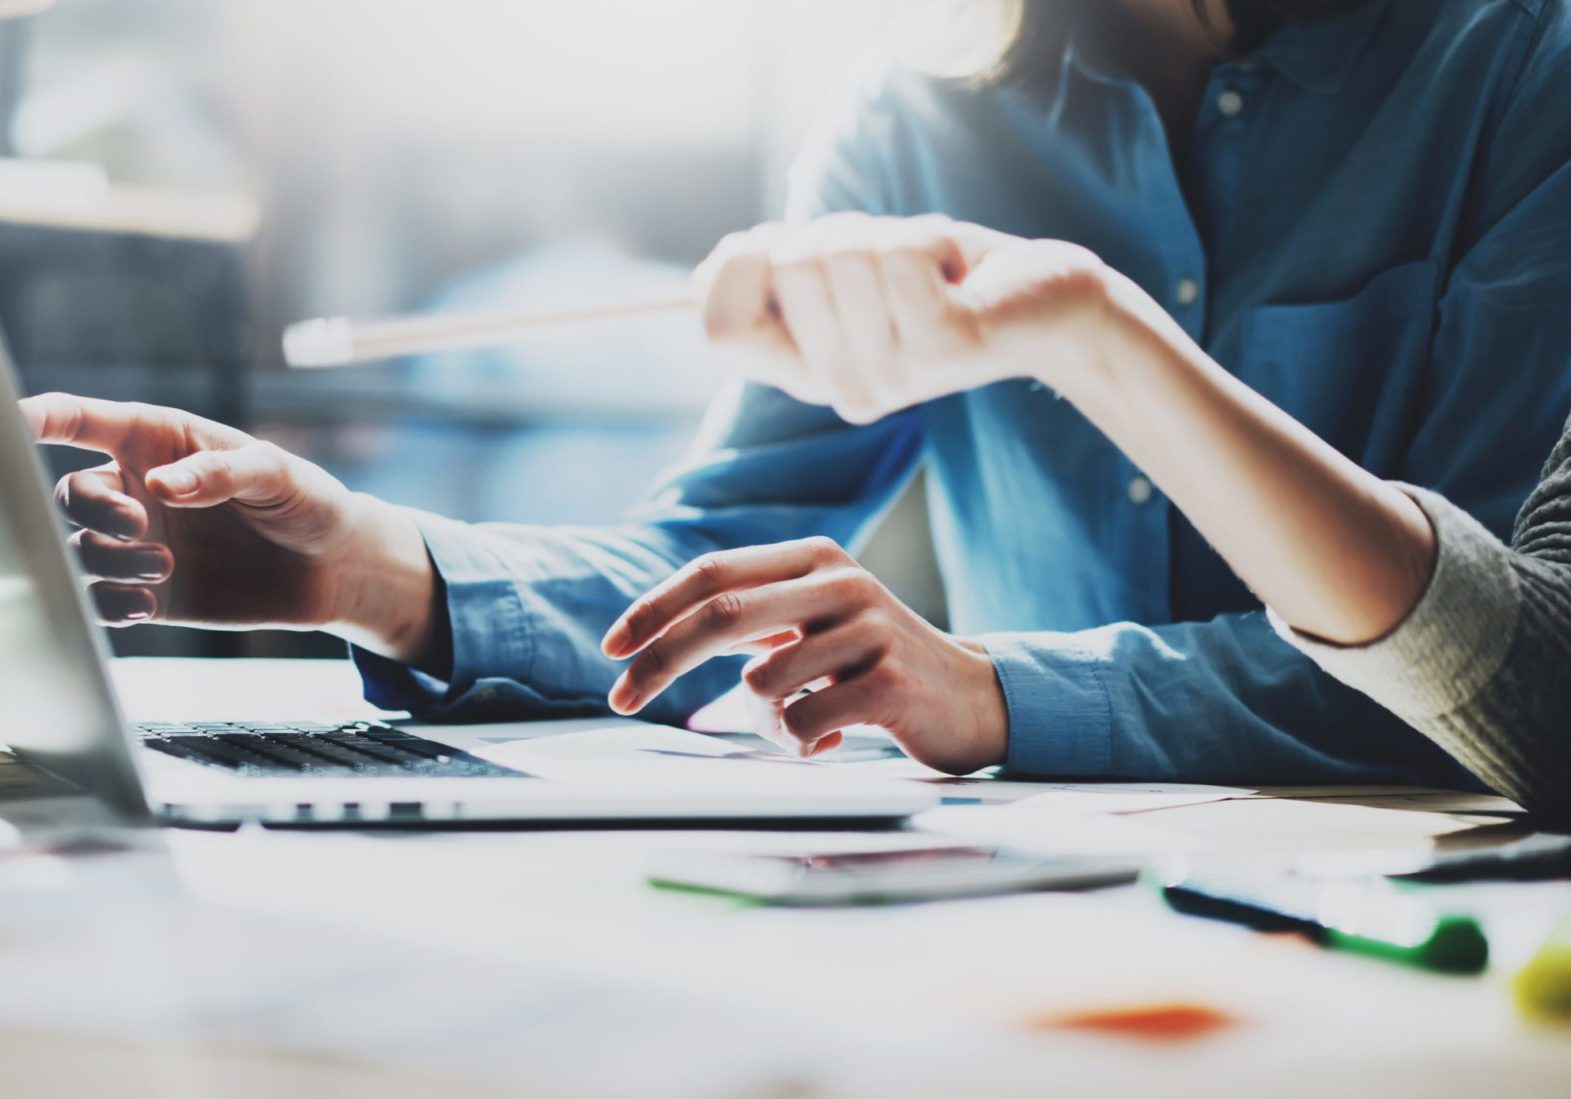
(1221, 701)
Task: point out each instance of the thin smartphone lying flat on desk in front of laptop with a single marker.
(890, 877)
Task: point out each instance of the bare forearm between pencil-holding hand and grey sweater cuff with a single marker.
(1335, 550)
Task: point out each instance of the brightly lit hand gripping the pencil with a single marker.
(870, 316)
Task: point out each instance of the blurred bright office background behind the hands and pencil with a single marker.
(183, 178)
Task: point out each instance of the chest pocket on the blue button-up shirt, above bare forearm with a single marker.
(1352, 371)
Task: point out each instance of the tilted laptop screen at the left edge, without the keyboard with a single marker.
(56, 704)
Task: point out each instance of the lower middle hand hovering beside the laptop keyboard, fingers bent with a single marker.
(830, 629)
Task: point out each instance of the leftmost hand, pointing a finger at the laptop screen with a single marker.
(199, 524)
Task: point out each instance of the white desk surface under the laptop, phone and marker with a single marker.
(538, 963)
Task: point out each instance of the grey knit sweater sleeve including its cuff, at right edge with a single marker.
(1484, 663)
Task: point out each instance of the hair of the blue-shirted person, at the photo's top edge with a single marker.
(1035, 40)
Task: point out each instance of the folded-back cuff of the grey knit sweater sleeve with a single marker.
(1452, 643)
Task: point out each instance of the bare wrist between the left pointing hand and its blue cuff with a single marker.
(386, 588)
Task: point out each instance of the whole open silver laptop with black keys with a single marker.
(60, 717)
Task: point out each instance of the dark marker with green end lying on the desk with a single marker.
(1368, 918)
